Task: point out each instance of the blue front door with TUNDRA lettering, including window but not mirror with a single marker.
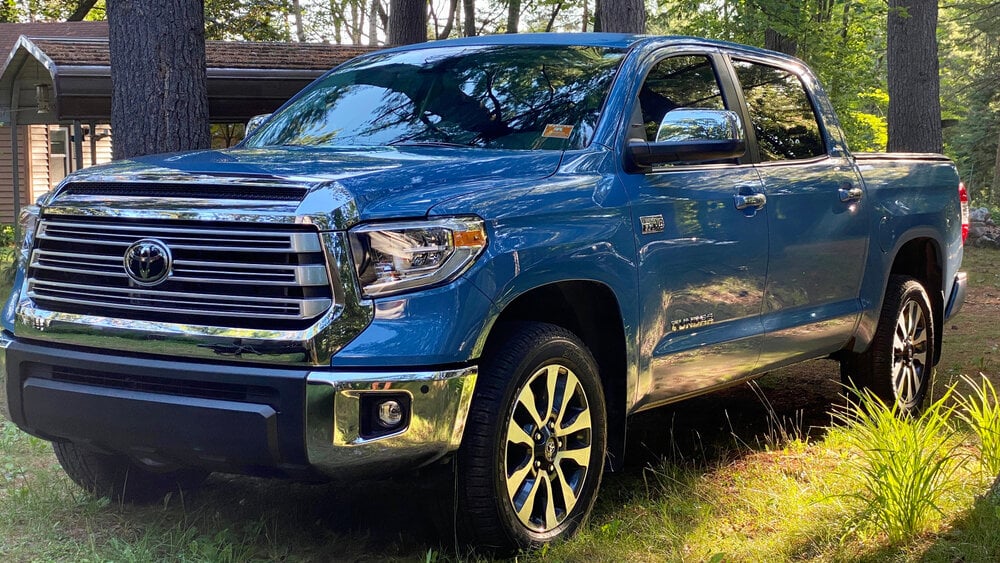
(701, 261)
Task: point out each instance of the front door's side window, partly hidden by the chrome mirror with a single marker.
(686, 81)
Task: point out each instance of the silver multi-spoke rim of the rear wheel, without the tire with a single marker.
(910, 355)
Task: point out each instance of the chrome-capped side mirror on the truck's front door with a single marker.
(690, 136)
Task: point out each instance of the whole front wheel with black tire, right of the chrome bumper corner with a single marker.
(529, 467)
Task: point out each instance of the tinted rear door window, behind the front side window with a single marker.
(782, 116)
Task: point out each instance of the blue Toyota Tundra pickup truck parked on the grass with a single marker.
(487, 252)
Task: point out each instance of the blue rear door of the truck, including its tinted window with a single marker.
(817, 215)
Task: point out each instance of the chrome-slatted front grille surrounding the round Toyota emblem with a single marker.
(231, 275)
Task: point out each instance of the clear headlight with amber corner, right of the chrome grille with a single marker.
(396, 257)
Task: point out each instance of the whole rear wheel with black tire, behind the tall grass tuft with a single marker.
(898, 365)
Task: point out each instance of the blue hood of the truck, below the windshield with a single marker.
(344, 185)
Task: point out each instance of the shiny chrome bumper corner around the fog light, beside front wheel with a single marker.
(439, 404)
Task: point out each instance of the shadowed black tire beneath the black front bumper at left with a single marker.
(120, 479)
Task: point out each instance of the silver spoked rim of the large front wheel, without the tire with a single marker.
(548, 448)
